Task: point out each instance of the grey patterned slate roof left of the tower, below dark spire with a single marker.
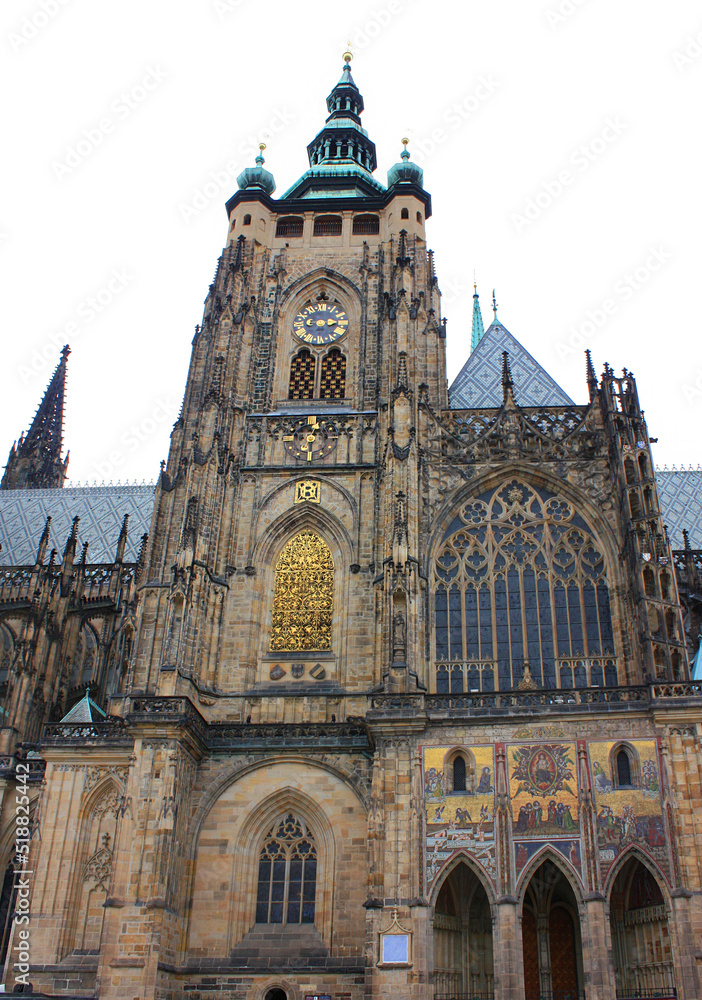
(101, 510)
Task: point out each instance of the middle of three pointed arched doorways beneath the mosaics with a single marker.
(551, 936)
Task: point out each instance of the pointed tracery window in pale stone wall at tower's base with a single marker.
(287, 874)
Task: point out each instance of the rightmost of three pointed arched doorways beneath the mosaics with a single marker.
(643, 958)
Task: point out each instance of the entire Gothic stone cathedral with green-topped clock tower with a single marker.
(386, 688)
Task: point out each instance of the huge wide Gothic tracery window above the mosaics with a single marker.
(519, 578)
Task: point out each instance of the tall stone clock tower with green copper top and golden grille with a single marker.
(284, 555)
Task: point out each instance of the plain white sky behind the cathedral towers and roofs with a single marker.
(537, 81)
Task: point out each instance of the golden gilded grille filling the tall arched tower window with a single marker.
(303, 599)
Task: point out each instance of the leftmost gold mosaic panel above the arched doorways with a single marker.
(459, 821)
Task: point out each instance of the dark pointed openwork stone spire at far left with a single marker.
(35, 460)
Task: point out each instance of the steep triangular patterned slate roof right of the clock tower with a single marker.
(479, 382)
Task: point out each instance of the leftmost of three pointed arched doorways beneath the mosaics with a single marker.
(463, 962)
